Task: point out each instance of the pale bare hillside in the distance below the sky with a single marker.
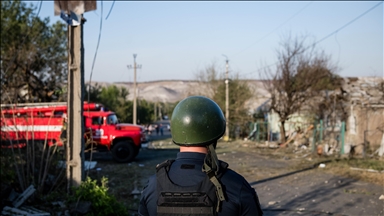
(176, 90)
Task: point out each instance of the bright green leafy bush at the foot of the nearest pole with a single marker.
(103, 203)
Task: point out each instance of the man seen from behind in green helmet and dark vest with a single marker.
(196, 182)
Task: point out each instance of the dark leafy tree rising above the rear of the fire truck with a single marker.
(33, 55)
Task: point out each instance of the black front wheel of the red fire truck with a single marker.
(123, 152)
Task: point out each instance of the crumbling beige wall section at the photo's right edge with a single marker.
(365, 110)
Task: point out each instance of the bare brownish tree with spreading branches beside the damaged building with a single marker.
(301, 73)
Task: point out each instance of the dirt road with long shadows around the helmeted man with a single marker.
(287, 184)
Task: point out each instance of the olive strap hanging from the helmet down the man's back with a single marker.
(211, 168)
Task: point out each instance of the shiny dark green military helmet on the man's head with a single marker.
(197, 121)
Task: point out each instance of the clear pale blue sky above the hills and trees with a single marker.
(174, 40)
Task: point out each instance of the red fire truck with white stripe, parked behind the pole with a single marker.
(35, 123)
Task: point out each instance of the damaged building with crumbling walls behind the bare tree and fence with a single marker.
(357, 107)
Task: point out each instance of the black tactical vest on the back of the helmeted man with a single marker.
(196, 200)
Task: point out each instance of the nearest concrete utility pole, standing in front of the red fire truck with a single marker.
(72, 13)
